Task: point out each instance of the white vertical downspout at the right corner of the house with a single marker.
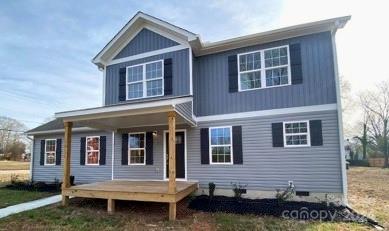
(340, 119)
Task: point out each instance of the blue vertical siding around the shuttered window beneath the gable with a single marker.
(181, 77)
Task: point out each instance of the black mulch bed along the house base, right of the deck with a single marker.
(273, 207)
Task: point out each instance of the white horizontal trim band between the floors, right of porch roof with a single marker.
(324, 107)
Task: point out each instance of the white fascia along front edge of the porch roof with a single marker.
(117, 110)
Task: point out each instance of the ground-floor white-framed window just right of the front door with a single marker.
(220, 145)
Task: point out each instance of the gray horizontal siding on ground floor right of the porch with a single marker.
(314, 169)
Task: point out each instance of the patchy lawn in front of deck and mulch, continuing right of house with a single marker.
(368, 189)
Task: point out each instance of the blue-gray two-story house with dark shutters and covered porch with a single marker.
(262, 110)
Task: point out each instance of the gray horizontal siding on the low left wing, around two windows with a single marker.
(82, 174)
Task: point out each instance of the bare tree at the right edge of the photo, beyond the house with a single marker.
(376, 105)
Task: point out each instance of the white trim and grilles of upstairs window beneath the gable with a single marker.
(144, 80)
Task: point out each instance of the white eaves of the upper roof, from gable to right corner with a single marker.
(193, 41)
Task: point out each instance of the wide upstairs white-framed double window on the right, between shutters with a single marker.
(264, 68)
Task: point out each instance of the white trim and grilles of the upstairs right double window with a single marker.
(263, 69)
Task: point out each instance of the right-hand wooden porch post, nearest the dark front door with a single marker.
(172, 162)
